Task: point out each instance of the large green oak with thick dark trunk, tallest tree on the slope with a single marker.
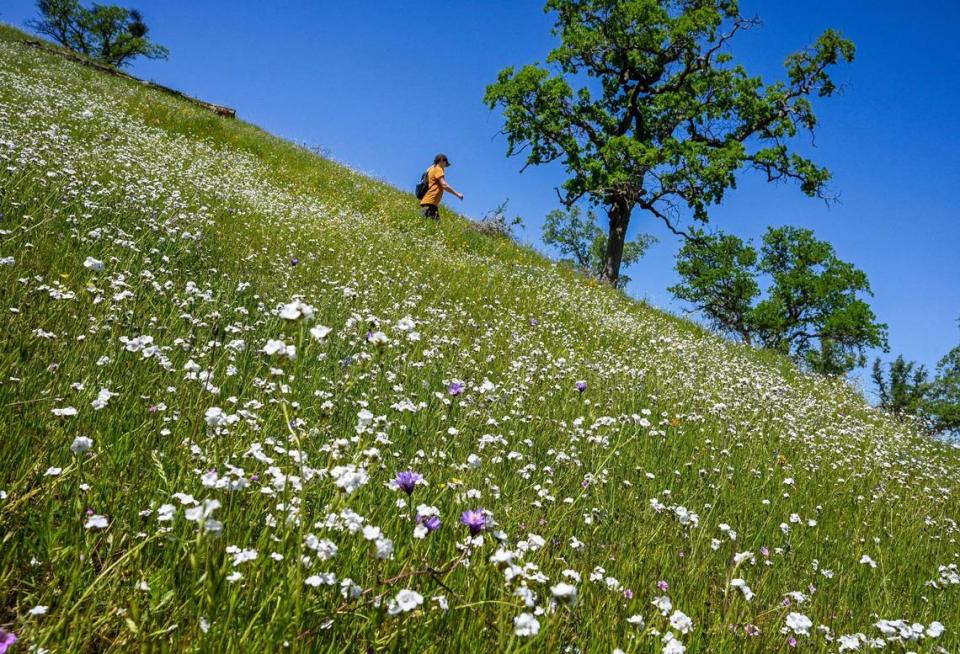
(646, 109)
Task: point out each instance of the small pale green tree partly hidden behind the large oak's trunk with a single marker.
(583, 244)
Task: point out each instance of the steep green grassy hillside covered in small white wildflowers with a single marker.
(220, 350)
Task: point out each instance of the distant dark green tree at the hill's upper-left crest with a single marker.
(107, 33)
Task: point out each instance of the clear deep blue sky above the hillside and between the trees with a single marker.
(386, 85)
